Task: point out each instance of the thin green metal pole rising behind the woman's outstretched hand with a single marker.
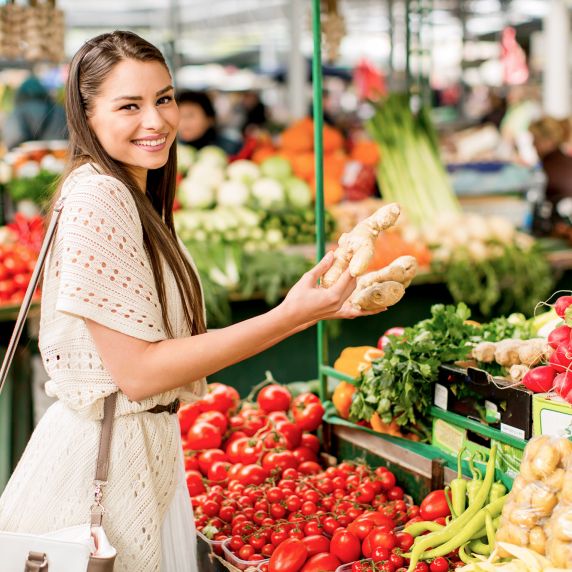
(319, 168)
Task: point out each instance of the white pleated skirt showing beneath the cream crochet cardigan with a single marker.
(178, 533)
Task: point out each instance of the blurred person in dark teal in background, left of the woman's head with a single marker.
(35, 117)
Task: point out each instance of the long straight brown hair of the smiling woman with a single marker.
(88, 69)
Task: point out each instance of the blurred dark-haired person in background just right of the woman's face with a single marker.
(198, 123)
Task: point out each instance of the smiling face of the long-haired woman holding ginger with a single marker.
(135, 116)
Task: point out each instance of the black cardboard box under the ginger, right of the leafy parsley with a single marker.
(485, 398)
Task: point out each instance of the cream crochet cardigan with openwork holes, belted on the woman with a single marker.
(98, 269)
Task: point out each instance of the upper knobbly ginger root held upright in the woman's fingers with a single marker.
(356, 248)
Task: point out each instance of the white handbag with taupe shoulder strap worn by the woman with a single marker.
(83, 548)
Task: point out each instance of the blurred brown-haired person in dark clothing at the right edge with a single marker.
(549, 135)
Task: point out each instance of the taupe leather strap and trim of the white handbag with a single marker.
(37, 561)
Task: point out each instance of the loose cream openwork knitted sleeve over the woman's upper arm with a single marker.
(105, 274)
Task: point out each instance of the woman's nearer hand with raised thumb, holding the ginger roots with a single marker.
(307, 302)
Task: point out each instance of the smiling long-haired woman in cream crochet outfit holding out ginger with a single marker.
(122, 312)
